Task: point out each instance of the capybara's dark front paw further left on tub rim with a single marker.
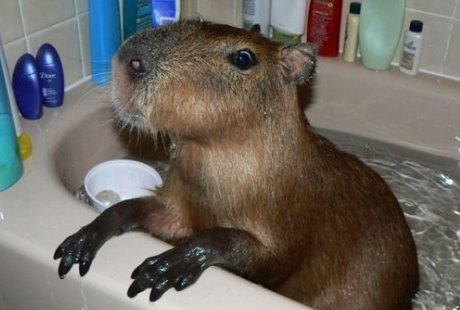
(79, 248)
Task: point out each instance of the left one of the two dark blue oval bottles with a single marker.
(26, 86)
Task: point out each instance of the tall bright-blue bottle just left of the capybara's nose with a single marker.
(105, 37)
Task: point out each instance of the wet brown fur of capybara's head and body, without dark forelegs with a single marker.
(244, 156)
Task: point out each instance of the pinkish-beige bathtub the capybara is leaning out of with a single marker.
(41, 209)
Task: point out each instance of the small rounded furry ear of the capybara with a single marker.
(299, 62)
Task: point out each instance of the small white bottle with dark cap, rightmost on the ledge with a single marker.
(412, 48)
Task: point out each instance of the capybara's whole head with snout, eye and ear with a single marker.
(198, 79)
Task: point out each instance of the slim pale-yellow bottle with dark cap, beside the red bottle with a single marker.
(350, 47)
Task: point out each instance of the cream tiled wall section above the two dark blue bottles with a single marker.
(26, 24)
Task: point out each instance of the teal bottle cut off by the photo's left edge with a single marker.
(11, 168)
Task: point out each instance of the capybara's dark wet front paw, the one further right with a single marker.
(178, 268)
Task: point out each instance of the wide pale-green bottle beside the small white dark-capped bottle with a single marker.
(379, 31)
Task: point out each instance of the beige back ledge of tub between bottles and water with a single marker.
(420, 112)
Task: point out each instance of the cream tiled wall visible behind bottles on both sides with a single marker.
(26, 24)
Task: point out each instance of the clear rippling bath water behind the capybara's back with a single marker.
(428, 190)
